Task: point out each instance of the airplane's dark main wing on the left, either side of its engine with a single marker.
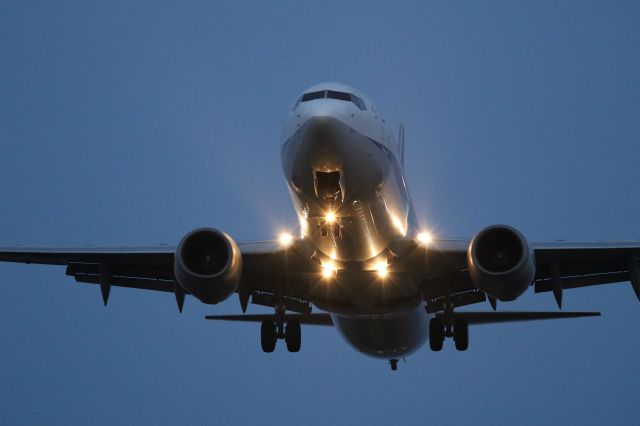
(152, 268)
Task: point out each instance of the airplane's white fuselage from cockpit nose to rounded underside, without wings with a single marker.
(342, 167)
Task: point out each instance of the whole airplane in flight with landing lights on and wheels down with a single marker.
(386, 284)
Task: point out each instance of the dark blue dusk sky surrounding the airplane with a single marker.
(131, 124)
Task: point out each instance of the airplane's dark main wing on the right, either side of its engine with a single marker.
(572, 265)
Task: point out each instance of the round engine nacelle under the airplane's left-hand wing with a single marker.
(208, 264)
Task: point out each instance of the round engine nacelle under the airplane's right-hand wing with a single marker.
(501, 262)
